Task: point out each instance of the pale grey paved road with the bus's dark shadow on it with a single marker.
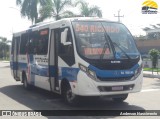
(14, 97)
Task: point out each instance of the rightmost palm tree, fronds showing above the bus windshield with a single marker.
(87, 11)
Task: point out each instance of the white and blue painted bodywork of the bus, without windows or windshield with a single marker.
(49, 70)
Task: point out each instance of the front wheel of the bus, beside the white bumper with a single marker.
(69, 97)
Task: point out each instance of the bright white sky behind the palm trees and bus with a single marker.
(11, 20)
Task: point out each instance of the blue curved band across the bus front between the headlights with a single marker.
(114, 73)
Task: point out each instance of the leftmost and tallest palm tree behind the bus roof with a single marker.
(29, 8)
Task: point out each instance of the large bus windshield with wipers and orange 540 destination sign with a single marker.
(104, 40)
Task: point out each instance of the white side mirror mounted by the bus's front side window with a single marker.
(64, 37)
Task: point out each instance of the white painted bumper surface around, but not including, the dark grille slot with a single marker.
(88, 87)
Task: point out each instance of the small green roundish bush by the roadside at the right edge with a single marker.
(154, 57)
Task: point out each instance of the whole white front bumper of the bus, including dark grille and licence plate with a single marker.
(88, 87)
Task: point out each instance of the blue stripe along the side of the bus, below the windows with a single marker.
(49, 71)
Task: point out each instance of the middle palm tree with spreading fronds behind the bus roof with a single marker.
(56, 9)
